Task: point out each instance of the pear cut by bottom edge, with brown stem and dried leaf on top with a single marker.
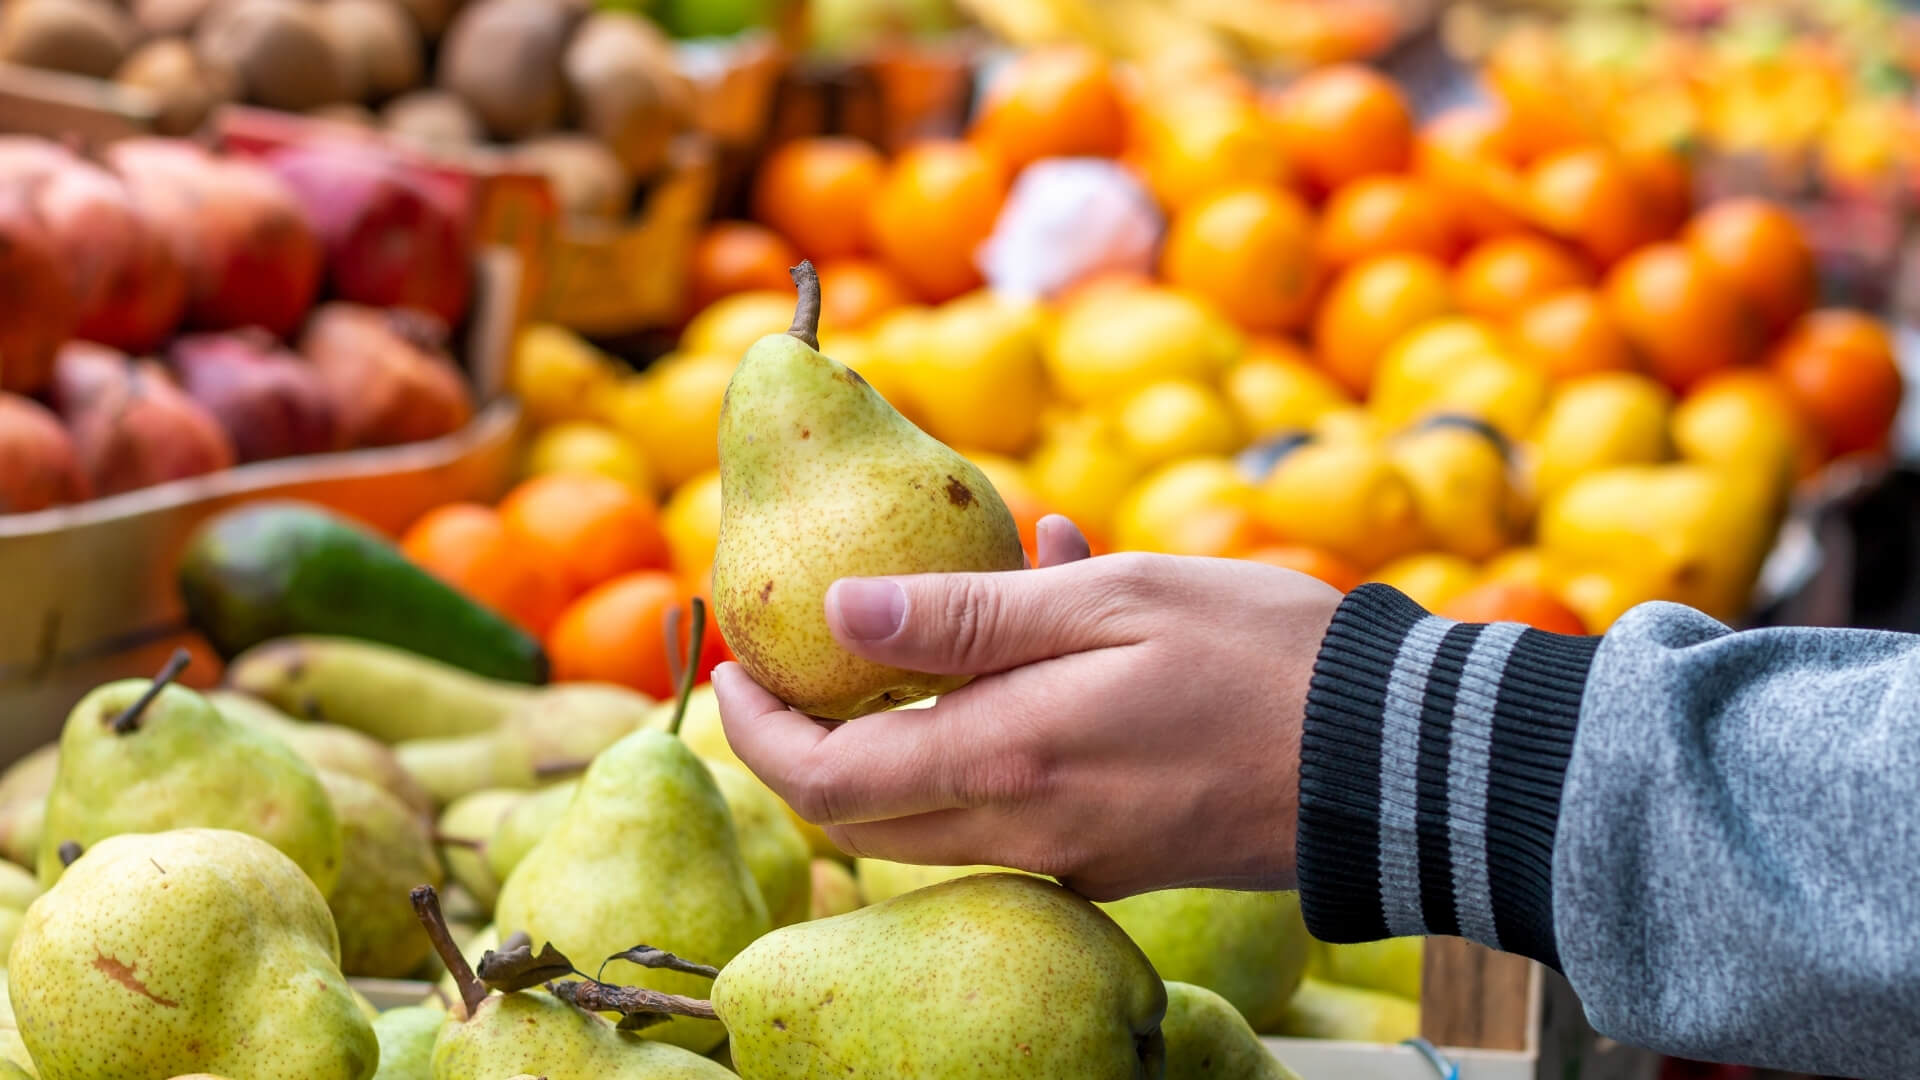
(535, 1033)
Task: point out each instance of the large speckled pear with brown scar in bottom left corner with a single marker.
(197, 950)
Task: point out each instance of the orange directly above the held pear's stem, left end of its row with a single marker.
(817, 191)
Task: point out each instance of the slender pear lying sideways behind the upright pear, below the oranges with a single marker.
(552, 735)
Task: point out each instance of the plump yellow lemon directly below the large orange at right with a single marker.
(1598, 422)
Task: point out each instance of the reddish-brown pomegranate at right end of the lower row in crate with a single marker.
(389, 380)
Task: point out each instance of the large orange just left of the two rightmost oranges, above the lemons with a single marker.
(1685, 320)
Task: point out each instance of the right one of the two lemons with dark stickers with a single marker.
(1462, 485)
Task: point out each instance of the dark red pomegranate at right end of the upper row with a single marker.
(391, 239)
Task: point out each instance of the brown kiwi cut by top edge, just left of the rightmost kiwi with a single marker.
(504, 59)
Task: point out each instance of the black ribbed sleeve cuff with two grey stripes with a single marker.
(1431, 775)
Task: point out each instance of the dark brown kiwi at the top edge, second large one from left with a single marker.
(277, 51)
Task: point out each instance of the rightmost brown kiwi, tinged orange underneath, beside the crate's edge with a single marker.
(621, 74)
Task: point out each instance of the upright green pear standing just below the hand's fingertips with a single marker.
(644, 854)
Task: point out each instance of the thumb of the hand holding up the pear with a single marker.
(969, 624)
